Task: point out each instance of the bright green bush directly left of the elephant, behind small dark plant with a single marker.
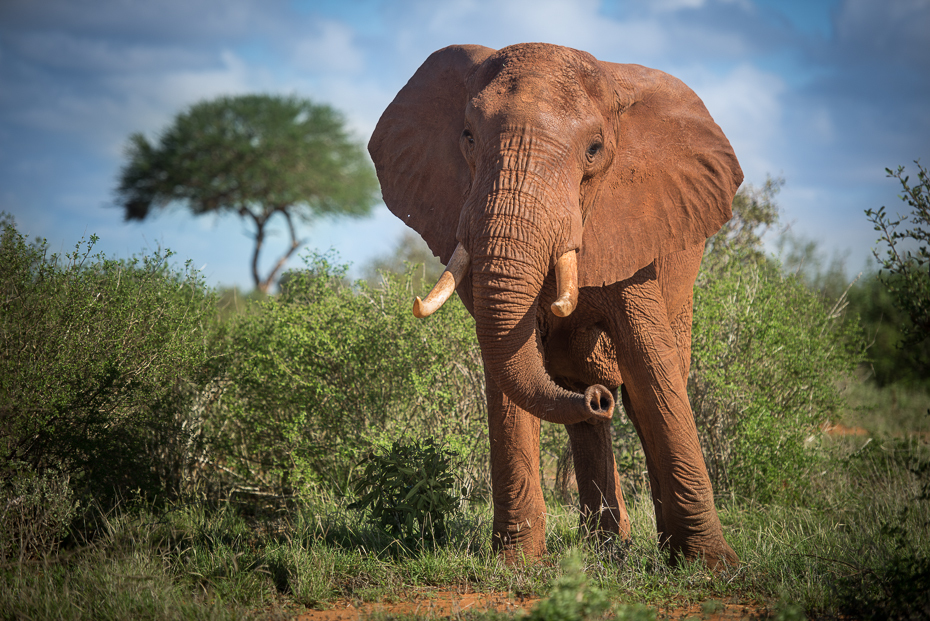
(326, 370)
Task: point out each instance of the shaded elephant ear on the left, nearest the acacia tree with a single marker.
(415, 147)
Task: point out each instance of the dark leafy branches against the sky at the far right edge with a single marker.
(907, 270)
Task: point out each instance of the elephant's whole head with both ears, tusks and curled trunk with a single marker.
(534, 159)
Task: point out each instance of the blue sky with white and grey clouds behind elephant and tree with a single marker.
(825, 93)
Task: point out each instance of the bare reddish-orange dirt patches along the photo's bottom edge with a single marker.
(445, 604)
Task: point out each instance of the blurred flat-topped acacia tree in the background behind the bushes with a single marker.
(256, 156)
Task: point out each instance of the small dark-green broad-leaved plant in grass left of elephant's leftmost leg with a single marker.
(409, 490)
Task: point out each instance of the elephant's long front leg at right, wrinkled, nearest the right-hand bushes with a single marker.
(650, 364)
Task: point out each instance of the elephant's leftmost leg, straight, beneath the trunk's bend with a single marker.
(519, 530)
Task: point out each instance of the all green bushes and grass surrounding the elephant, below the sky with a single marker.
(170, 451)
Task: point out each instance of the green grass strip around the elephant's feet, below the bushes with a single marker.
(196, 561)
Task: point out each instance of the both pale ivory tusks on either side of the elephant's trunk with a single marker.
(566, 273)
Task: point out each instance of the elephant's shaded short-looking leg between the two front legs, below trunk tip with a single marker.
(602, 506)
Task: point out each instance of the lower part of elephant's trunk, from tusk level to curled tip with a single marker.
(506, 297)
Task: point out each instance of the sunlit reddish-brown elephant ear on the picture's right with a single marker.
(670, 185)
